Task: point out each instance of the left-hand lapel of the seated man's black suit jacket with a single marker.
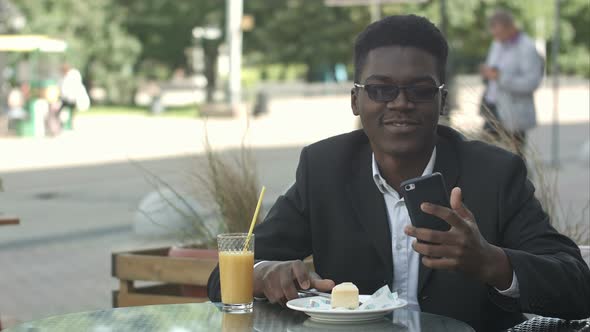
(369, 206)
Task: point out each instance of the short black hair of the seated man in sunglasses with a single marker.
(402, 30)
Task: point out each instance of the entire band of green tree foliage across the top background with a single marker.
(114, 42)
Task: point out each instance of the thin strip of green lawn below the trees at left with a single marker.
(184, 112)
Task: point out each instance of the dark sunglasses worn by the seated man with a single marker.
(388, 92)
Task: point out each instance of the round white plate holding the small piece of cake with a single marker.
(342, 315)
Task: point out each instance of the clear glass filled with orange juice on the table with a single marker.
(236, 271)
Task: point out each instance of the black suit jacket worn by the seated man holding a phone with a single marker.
(336, 212)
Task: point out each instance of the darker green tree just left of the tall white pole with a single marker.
(164, 28)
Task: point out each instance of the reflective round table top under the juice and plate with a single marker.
(208, 317)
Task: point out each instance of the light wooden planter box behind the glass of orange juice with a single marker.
(168, 273)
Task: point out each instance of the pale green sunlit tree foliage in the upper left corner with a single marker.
(98, 43)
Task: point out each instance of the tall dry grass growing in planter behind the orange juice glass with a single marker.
(230, 182)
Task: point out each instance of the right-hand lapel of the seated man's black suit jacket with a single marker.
(447, 164)
